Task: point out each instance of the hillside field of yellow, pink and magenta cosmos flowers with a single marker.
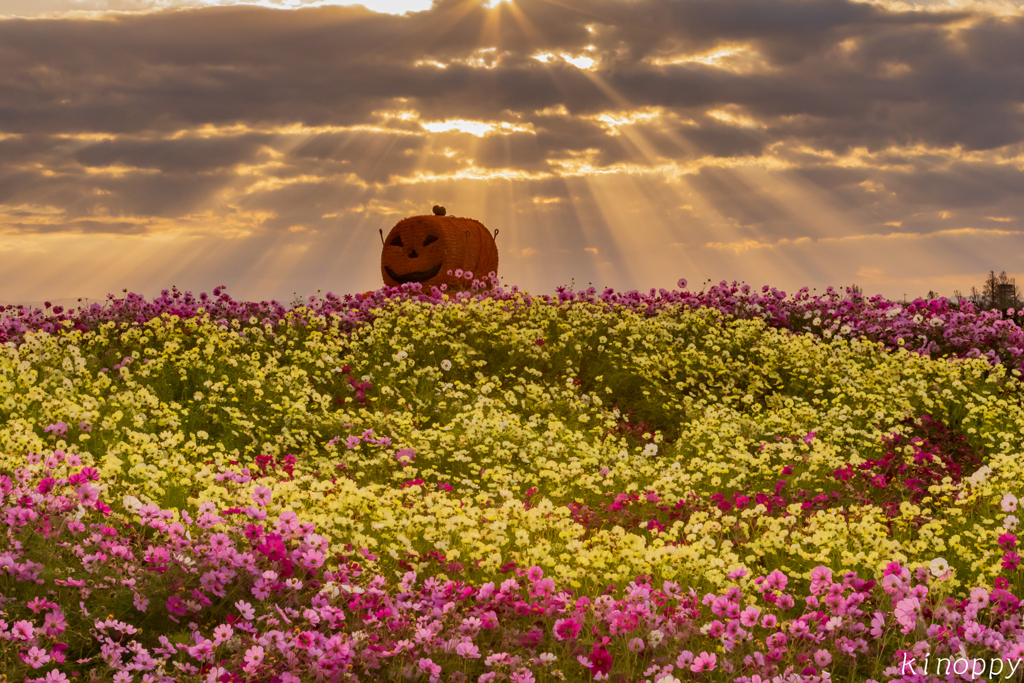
(723, 486)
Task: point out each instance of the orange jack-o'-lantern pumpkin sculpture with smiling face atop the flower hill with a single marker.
(426, 249)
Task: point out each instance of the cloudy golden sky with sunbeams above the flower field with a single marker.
(624, 144)
